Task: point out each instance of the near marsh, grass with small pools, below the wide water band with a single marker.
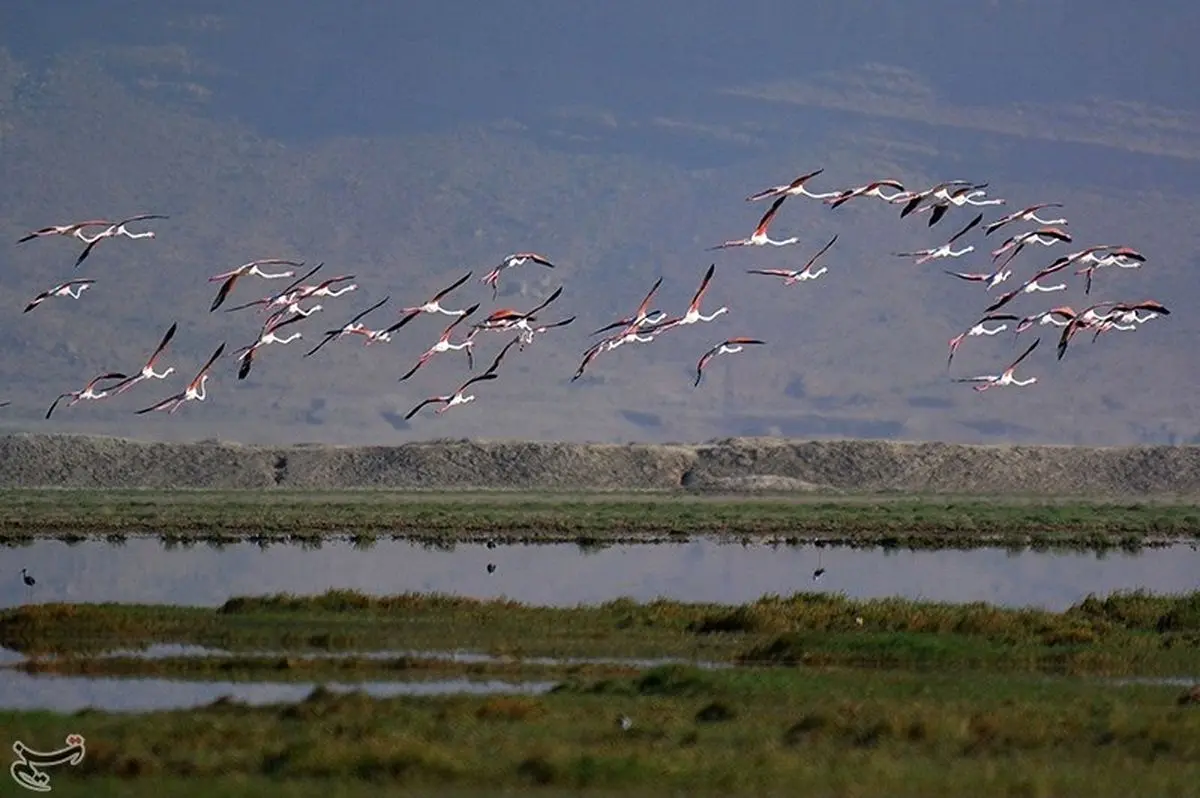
(853, 697)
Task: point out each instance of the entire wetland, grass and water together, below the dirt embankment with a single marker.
(303, 643)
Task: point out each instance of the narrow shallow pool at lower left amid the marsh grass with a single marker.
(21, 692)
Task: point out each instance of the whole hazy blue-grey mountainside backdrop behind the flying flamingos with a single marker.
(409, 143)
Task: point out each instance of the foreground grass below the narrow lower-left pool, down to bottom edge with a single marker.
(697, 733)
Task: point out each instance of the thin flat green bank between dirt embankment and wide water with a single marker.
(285, 515)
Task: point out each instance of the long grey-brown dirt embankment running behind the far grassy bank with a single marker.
(746, 464)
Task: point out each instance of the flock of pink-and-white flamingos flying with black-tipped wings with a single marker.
(285, 311)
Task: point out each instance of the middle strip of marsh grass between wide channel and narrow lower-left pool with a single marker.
(1125, 634)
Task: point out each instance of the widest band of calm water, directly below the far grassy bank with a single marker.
(143, 571)
